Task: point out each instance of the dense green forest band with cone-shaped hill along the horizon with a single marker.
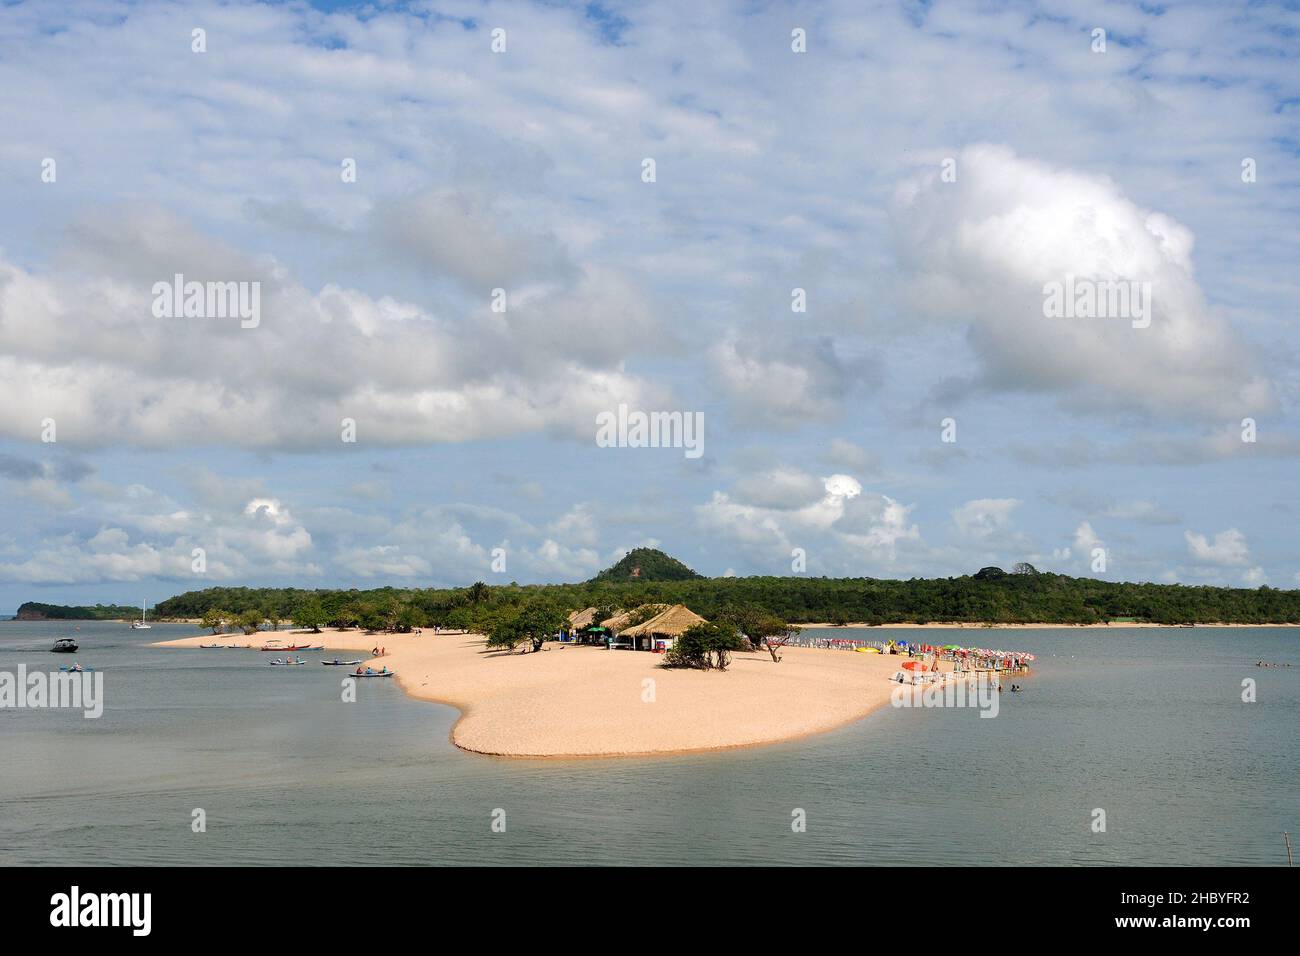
(991, 595)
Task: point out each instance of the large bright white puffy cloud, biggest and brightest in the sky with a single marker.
(981, 250)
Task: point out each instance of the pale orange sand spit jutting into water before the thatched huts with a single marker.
(586, 702)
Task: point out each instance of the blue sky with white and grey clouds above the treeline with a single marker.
(921, 172)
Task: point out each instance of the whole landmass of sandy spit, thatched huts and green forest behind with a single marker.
(532, 673)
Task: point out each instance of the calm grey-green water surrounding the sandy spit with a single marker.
(1147, 725)
